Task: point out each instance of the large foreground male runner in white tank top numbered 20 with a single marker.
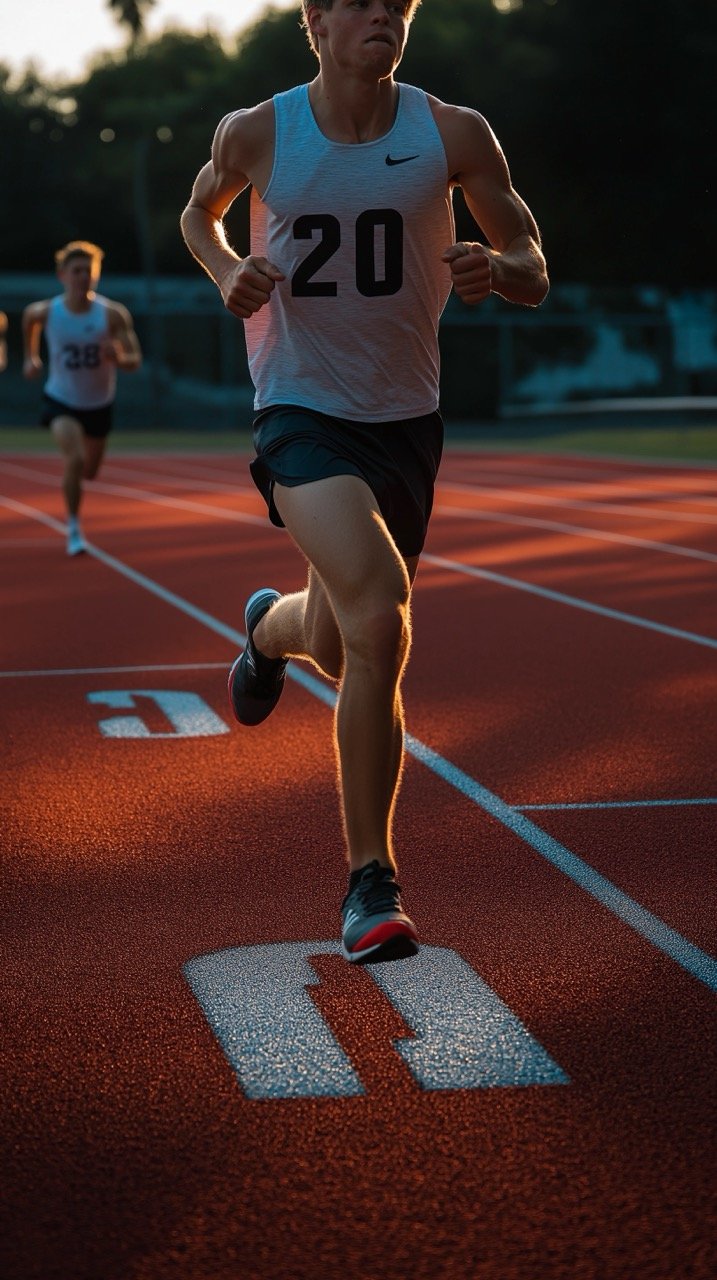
(351, 260)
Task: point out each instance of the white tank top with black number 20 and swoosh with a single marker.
(359, 231)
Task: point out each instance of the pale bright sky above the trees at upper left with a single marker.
(61, 39)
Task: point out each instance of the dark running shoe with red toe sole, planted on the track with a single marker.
(376, 926)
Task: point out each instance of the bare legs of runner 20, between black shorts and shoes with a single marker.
(359, 574)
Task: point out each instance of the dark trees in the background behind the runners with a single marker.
(604, 108)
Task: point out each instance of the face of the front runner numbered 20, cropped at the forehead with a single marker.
(367, 34)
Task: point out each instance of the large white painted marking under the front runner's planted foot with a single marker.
(280, 1046)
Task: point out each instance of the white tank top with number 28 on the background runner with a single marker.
(79, 377)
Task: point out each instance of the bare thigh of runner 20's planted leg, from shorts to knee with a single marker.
(339, 527)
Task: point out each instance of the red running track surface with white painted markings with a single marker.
(536, 1099)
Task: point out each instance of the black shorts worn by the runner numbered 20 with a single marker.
(398, 460)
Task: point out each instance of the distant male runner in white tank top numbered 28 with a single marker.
(89, 339)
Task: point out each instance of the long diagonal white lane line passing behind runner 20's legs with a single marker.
(672, 944)
